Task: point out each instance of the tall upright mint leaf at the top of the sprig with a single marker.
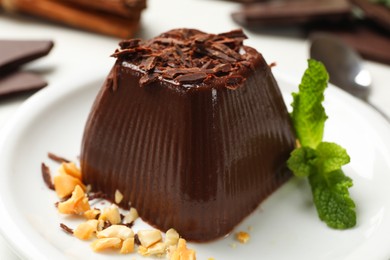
(308, 114)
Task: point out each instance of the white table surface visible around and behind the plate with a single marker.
(76, 51)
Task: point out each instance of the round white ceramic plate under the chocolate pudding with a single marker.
(284, 227)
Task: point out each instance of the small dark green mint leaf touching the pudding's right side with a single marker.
(301, 161)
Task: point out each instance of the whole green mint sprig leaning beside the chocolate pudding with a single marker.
(320, 161)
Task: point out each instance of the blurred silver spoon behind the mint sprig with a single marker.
(344, 65)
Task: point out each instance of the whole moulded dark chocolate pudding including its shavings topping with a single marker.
(192, 129)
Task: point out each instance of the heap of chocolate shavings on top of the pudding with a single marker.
(189, 56)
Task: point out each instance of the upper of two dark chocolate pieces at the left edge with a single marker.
(17, 53)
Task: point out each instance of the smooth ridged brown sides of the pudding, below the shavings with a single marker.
(199, 160)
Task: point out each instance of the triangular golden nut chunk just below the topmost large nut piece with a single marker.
(76, 204)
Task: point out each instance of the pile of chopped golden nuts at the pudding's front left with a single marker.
(107, 227)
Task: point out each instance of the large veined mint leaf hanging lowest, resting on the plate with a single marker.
(331, 197)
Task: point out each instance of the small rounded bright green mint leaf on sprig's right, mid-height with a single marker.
(330, 157)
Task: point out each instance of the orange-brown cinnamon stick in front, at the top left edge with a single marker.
(60, 12)
